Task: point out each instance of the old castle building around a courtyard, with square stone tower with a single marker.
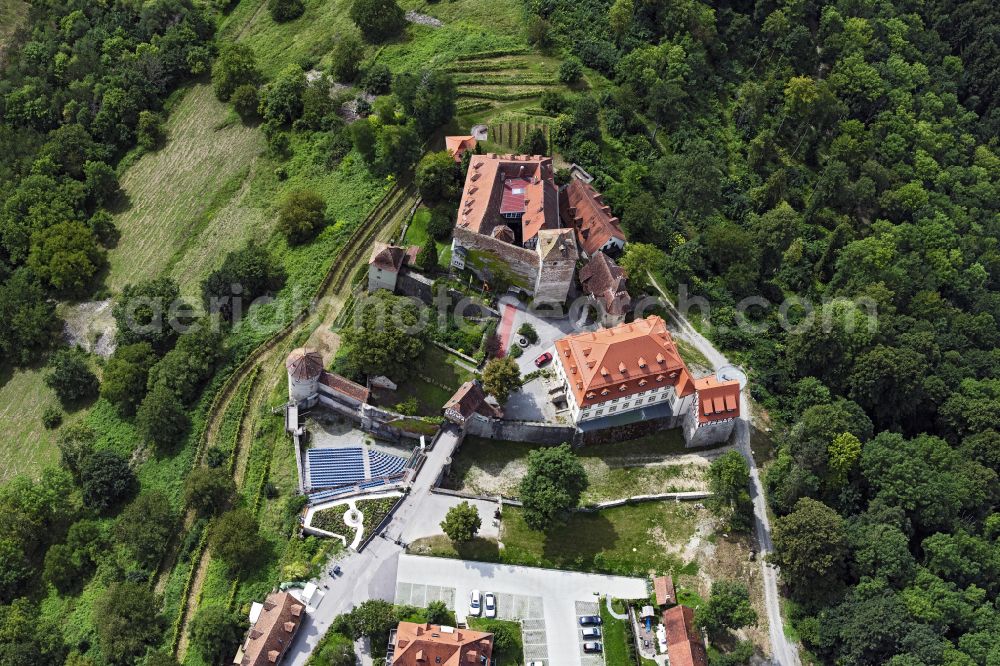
(508, 230)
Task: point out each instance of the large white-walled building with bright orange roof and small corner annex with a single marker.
(635, 366)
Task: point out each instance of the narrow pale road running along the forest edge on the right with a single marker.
(783, 651)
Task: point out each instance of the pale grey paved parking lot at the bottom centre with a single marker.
(546, 601)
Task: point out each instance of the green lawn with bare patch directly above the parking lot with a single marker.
(629, 540)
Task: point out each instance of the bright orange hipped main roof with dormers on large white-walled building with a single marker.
(622, 361)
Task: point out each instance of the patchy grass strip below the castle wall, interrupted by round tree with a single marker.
(623, 469)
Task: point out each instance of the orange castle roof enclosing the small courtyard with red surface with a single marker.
(511, 184)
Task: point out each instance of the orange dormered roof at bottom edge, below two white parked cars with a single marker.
(434, 645)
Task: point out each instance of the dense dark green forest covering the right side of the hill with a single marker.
(842, 150)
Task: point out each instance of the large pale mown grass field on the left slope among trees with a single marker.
(187, 200)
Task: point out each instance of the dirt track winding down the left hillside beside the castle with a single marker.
(334, 292)
